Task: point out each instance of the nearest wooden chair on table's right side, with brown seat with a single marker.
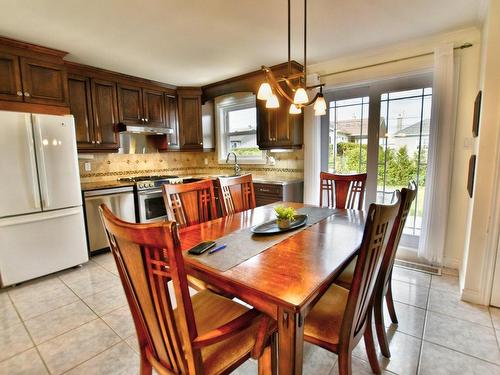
(341, 317)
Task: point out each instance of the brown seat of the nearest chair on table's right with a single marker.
(323, 322)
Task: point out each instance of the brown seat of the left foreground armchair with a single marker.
(212, 311)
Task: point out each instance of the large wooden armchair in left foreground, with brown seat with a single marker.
(206, 333)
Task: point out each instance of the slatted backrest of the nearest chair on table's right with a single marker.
(379, 223)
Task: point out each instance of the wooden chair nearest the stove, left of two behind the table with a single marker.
(190, 204)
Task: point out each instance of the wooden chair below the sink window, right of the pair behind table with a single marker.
(236, 194)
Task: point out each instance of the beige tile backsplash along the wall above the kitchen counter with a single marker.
(105, 167)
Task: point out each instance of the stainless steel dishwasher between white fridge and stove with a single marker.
(120, 201)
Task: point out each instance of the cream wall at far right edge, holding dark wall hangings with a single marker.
(483, 211)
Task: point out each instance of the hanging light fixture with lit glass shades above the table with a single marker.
(295, 84)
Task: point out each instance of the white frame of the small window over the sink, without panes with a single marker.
(223, 106)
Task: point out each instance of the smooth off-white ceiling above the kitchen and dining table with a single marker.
(195, 42)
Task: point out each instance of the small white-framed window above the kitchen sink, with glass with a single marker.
(236, 119)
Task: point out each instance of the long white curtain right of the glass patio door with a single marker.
(441, 141)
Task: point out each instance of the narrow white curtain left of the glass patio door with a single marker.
(312, 150)
